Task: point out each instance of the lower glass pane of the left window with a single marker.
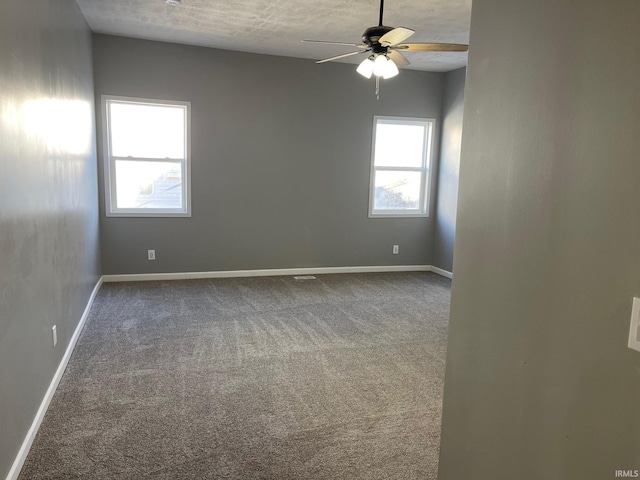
(148, 184)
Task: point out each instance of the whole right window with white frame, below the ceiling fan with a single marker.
(400, 158)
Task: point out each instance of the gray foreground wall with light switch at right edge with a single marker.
(539, 381)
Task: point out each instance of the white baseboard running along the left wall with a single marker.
(35, 425)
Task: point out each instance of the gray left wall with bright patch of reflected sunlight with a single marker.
(48, 201)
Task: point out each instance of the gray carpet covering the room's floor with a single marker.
(256, 378)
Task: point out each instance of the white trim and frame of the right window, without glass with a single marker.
(425, 169)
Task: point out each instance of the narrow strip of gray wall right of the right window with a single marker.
(449, 170)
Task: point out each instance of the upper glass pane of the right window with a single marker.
(399, 145)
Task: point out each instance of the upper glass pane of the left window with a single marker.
(147, 131)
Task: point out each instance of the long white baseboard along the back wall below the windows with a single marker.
(138, 277)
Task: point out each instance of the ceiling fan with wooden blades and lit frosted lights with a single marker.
(384, 46)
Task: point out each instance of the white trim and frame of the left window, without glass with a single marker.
(109, 164)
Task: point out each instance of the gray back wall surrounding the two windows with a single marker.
(281, 153)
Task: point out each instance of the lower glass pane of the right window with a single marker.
(397, 190)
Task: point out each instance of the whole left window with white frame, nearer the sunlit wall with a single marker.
(147, 168)
